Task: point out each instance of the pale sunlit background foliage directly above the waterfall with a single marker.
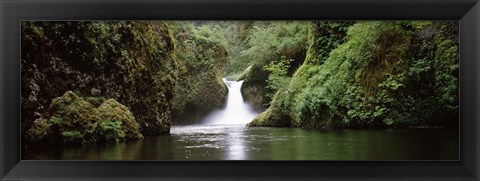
(249, 43)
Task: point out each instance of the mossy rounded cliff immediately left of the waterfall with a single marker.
(202, 59)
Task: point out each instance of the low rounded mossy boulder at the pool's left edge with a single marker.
(76, 120)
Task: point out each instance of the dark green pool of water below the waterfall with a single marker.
(236, 142)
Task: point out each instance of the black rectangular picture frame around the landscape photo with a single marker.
(13, 11)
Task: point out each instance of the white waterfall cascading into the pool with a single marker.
(236, 111)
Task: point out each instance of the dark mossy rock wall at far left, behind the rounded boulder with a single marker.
(130, 62)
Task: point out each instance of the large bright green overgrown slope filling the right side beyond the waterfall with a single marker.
(372, 74)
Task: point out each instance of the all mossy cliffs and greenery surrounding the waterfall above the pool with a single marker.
(117, 81)
